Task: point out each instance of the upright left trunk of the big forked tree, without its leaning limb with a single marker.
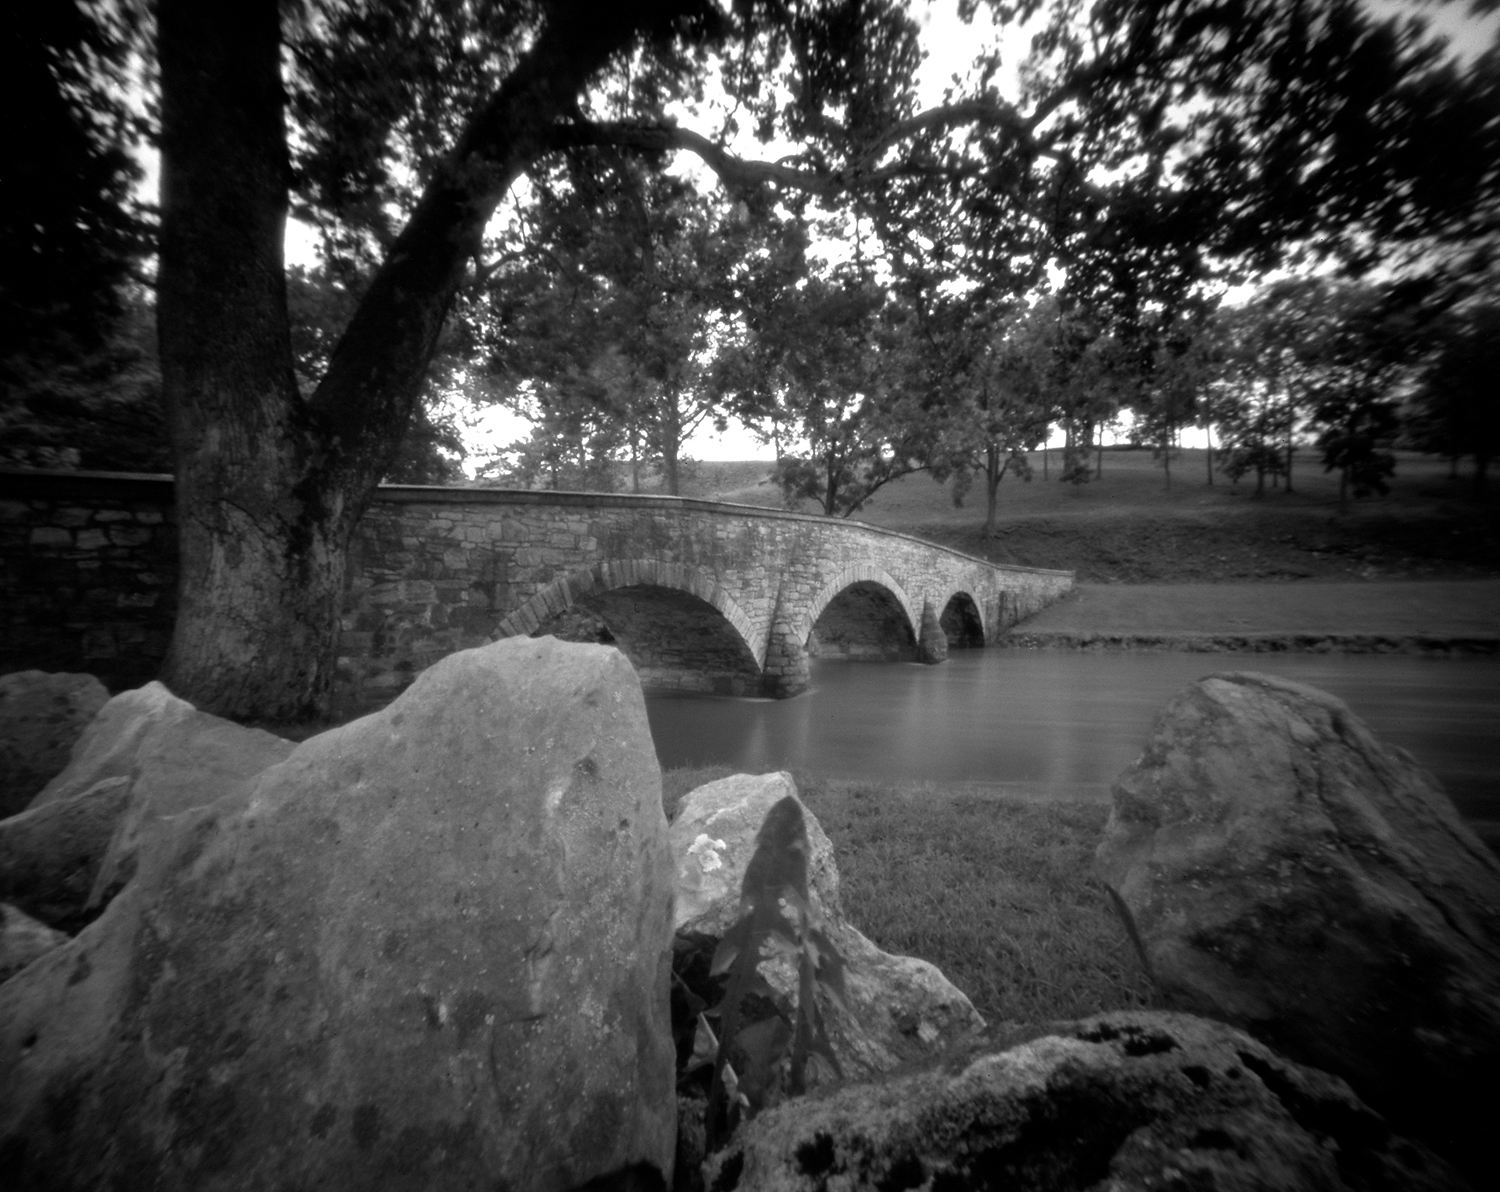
(262, 544)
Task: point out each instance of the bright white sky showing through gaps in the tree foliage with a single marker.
(950, 49)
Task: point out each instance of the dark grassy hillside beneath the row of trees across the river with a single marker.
(1129, 529)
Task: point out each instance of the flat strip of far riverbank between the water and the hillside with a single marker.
(1411, 615)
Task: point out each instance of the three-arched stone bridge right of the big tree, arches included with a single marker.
(700, 596)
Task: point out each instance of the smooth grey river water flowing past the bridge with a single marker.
(1069, 722)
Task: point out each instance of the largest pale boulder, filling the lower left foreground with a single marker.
(428, 950)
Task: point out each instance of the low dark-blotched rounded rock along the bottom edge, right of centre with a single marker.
(1121, 1103)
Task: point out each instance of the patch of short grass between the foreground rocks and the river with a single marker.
(997, 893)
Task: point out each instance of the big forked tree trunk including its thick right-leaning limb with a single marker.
(269, 488)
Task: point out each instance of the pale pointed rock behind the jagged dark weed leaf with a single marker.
(896, 1008)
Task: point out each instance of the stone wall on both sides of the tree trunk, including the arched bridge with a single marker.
(698, 595)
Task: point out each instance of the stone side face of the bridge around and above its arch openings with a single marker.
(442, 569)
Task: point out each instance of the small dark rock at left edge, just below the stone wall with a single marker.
(41, 717)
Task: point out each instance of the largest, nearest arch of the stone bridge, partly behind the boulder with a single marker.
(691, 635)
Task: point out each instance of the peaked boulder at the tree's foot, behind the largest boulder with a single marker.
(146, 756)
